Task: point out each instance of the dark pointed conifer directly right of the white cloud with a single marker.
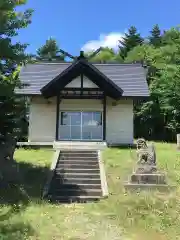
(129, 41)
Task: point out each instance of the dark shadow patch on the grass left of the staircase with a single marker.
(21, 183)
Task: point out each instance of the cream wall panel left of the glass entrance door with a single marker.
(42, 120)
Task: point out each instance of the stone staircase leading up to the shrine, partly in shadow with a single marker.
(76, 177)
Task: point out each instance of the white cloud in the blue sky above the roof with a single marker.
(110, 40)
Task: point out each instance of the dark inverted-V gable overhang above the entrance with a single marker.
(78, 67)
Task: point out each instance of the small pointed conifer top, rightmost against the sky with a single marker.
(155, 39)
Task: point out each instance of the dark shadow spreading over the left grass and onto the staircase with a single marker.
(23, 183)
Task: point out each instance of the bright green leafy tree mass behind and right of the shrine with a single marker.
(161, 113)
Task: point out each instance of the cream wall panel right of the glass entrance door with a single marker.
(119, 126)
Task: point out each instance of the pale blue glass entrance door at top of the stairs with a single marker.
(85, 126)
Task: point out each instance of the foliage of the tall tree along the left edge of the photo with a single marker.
(11, 55)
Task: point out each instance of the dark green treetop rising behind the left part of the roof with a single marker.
(50, 51)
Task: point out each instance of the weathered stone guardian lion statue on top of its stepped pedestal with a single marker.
(146, 157)
